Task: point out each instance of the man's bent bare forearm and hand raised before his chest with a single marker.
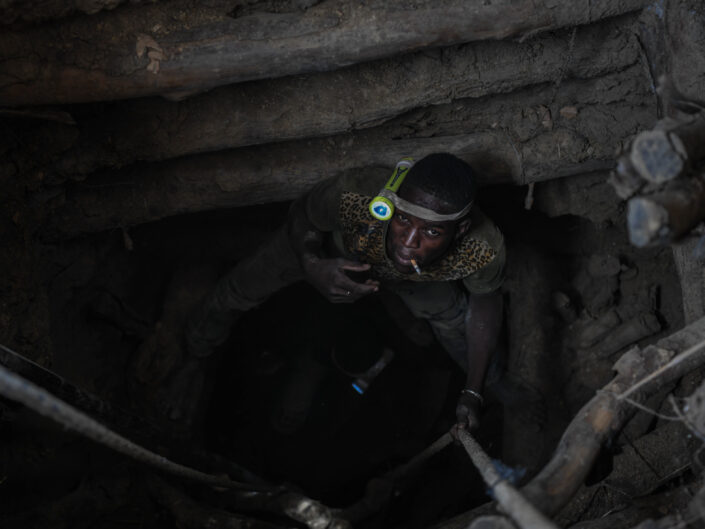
(327, 275)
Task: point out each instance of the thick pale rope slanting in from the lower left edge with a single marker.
(44, 403)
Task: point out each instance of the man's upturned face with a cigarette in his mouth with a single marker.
(426, 241)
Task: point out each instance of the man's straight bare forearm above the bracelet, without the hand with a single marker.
(483, 322)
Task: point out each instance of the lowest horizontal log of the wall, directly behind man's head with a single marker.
(273, 173)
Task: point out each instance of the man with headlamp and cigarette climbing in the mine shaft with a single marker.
(421, 236)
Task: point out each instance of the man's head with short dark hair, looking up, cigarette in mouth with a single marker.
(440, 182)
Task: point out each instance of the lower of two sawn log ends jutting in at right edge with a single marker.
(665, 217)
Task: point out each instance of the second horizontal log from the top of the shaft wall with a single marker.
(356, 97)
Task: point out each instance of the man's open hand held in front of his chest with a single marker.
(329, 278)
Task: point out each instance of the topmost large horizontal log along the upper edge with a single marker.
(167, 48)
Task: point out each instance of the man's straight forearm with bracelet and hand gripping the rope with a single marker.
(483, 321)
